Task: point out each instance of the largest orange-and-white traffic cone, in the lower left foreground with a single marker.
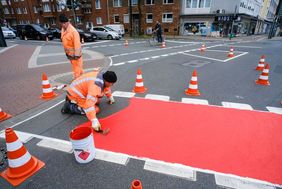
(21, 164)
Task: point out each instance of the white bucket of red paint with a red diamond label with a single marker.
(83, 144)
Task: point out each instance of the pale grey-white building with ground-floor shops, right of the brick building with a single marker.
(219, 17)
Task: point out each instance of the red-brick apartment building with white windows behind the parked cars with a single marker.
(90, 13)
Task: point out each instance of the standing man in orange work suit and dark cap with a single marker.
(71, 42)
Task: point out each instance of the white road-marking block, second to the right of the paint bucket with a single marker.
(170, 169)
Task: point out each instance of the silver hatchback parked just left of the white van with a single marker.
(105, 33)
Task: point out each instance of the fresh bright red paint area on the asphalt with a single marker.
(241, 142)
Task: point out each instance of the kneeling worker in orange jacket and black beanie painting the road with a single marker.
(86, 91)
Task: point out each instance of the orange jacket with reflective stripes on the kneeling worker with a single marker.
(86, 90)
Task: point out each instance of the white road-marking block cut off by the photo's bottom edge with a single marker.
(241, 183)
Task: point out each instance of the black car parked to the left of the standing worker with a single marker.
(33, 31)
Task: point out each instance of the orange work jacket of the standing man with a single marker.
(71, 42)
